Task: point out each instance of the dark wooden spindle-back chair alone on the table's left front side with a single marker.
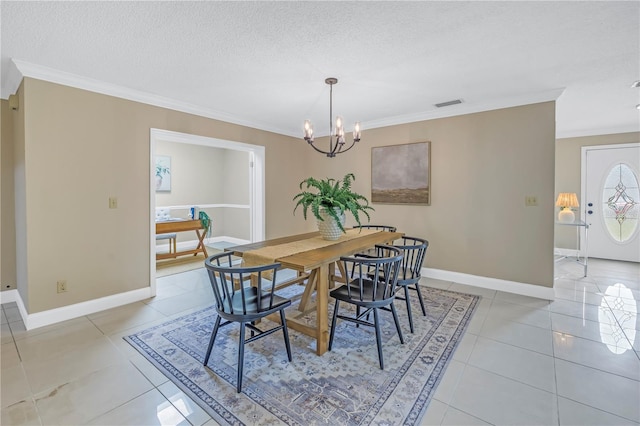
(245, 295)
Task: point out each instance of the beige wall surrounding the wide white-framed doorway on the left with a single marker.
(81, 148)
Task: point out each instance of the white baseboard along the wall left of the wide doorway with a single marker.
(52, 316)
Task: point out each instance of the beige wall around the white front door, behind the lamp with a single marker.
(568, 173)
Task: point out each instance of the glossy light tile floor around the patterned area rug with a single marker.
(523, 361)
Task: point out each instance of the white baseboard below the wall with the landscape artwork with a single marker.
(491, 283)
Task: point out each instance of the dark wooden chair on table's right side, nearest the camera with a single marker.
(371, 288)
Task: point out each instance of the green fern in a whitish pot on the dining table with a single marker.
(329, 201)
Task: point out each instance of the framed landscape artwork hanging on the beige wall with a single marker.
(401, 174)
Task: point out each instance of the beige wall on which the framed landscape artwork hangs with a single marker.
(483, 165)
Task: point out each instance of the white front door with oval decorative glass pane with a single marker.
(611, 201)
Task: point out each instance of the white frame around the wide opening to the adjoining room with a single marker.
(256, 183)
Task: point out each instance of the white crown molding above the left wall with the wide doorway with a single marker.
(27, 69)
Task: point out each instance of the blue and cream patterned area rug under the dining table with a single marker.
(342, 387)
